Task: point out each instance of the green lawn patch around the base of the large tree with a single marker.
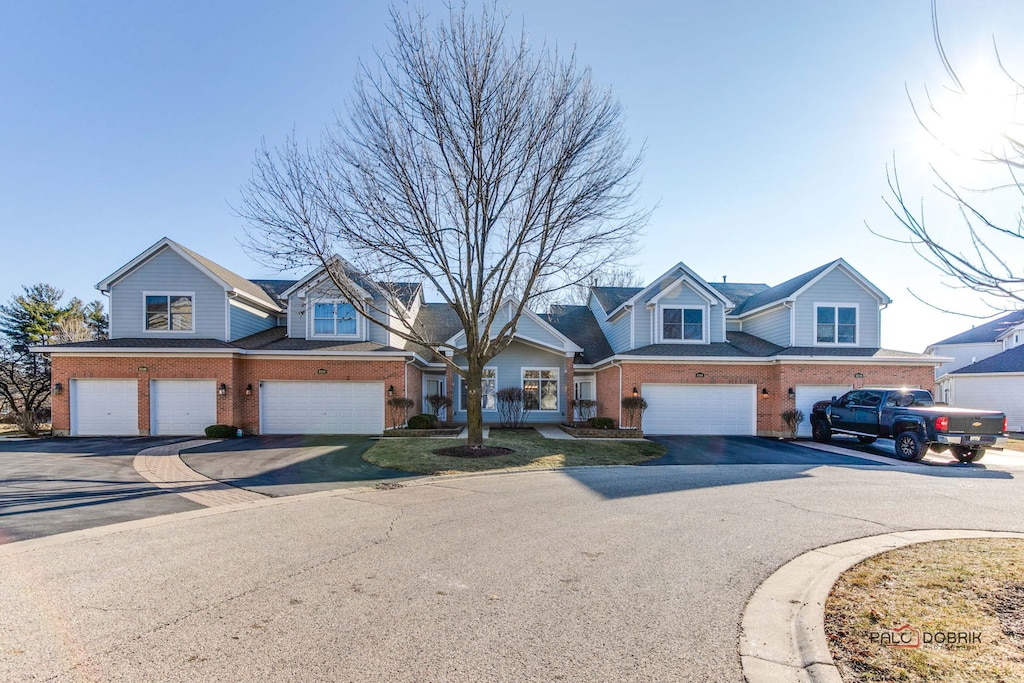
(532, 452)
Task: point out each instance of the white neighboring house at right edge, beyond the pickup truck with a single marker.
(988, 371)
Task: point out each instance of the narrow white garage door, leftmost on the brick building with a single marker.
(105, 408)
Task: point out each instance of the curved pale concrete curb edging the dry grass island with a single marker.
(783, 637)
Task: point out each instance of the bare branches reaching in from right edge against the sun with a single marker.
(988, 258)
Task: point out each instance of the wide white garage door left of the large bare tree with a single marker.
(322, 408)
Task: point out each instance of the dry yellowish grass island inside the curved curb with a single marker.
(975, 586)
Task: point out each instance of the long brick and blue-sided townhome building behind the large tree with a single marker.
(193, 345)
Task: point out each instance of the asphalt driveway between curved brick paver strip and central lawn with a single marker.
(290, 465)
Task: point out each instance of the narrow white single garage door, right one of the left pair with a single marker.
(183, 407)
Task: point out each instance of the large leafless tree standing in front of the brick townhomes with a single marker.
(488, 169)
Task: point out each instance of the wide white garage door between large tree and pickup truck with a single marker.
(701, 409)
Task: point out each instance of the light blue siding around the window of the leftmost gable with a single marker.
(167, 272)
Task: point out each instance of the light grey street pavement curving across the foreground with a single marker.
(619, 574)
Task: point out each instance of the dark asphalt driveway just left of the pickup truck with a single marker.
(744, 451)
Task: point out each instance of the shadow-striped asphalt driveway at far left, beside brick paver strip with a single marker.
(54, 486)
